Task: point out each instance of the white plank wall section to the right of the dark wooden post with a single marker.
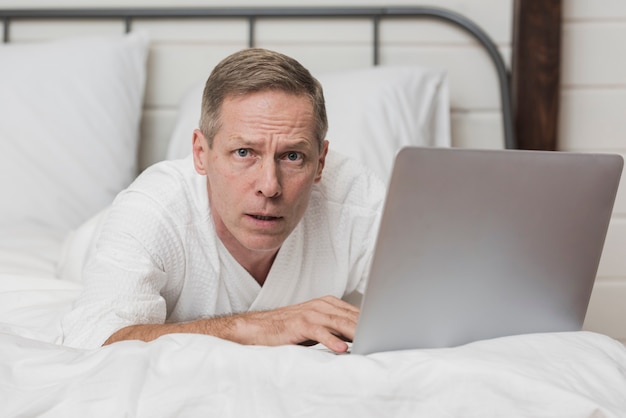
(593, 119)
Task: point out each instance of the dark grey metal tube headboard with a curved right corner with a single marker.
(255, 13)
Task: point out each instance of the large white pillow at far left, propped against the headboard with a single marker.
(69, 127)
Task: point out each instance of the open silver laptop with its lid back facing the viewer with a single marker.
(479, 244)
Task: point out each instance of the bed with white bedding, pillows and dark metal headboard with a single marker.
(69, 142)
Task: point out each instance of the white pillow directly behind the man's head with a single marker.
(372, 113)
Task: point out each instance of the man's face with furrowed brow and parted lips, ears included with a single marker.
(260, 169)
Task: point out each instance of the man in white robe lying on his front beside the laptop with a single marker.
(246, 240)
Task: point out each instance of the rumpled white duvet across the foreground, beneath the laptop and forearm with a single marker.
(578, 374)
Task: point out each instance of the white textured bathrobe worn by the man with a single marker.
(158, 258)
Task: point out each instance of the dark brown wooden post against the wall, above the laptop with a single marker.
(536, 64)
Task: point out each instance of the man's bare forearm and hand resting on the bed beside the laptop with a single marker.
(327, 320)
